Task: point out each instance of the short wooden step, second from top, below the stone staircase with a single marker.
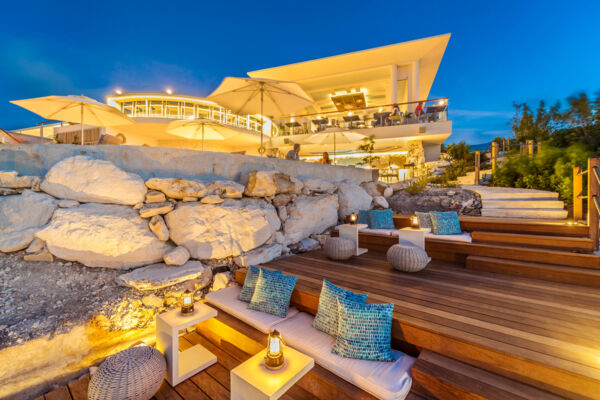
(563, 242)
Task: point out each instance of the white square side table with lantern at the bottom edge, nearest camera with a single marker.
(251, 380)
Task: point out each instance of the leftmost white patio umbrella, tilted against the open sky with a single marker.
(75, 109)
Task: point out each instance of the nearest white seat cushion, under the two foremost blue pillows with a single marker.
(384, 380)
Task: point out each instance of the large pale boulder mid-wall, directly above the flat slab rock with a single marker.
(218, 231)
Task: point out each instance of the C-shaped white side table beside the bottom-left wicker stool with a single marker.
(182, 365)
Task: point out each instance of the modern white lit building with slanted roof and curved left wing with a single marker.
(382, 93)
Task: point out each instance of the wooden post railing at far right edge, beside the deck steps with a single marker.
(592, 196)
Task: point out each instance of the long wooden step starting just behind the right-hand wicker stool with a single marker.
(539, 255)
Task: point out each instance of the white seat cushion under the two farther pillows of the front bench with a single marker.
(228, 300)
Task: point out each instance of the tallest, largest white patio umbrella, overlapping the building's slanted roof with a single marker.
(260, 96)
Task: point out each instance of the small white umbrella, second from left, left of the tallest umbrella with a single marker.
(203, 129)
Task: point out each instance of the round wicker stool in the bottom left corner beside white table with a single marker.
(132, 374)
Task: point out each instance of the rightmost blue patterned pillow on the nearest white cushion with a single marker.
(365, 331)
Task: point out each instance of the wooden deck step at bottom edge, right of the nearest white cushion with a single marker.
(448, 379)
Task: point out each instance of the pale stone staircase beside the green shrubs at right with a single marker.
(519, 203)
